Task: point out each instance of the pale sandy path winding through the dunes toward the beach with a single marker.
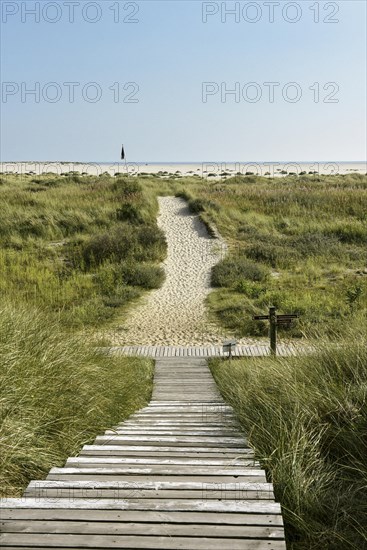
(175, 314)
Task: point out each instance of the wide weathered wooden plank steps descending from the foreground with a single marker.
(178, 474)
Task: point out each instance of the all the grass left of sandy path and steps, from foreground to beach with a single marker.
(74, 251)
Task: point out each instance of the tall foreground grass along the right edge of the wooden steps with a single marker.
(306, 418)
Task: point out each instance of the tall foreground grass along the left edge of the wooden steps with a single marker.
(56, 394)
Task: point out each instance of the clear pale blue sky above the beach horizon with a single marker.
(169, 53)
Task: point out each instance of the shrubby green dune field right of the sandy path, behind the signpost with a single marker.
(307, 235)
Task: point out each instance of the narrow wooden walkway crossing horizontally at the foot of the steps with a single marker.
(258, 350)
